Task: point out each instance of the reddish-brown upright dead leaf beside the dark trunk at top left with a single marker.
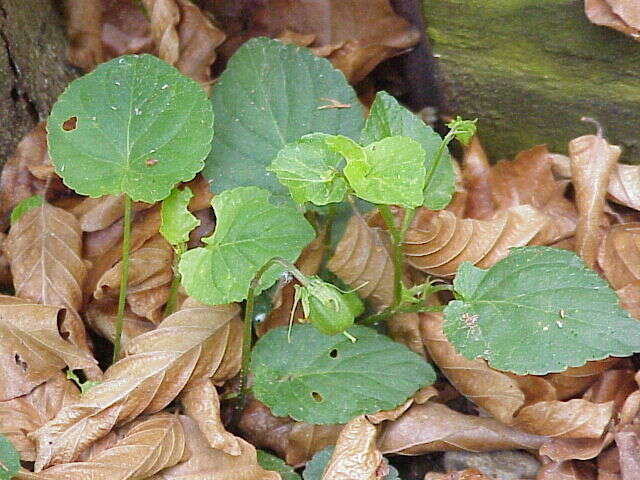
(84, 30)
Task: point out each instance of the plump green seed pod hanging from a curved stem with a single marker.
(327, 308)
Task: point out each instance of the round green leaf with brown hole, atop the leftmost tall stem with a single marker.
(134, 125)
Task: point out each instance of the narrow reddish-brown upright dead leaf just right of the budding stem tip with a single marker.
(475, 172)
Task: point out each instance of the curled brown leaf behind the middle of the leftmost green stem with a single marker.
(150, 273)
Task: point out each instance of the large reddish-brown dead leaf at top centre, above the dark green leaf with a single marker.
(355, 35)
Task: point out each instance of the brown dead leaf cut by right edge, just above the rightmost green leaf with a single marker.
(619, 255)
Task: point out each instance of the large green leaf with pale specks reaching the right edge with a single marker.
(540, 310)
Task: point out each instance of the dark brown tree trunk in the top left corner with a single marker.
(33, 67)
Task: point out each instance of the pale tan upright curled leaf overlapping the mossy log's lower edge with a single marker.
(592, 162)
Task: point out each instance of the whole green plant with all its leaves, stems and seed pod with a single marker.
(278, 151)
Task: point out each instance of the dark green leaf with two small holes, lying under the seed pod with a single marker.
(324, 379)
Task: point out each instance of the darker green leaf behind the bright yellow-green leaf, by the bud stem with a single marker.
(388, 118)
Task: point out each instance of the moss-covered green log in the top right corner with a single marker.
(530, 69)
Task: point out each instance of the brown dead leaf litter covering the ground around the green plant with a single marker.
(160, 412)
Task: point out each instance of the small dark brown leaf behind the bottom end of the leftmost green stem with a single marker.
(101, 317)
